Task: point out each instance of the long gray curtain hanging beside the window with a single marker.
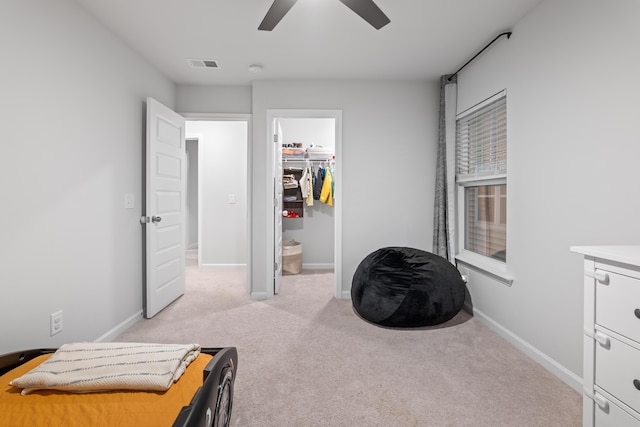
(444, 234)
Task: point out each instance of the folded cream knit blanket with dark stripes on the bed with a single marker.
(86, 367)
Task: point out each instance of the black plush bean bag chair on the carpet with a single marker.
(406, 288)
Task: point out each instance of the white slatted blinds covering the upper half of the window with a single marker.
(481, 140)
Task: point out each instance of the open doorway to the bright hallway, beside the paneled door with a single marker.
(217, 193)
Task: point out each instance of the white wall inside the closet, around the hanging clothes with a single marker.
(315, 230)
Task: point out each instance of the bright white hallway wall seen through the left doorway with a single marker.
(222, 153)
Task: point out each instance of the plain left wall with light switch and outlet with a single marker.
(72, 109)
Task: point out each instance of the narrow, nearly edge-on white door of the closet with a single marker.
(277, 202)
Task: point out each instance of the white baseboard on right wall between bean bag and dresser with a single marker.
(571, 379)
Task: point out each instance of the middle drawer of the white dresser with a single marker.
(618, 370)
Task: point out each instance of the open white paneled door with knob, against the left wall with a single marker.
(165, 208)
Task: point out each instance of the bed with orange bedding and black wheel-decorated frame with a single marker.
(202, 396)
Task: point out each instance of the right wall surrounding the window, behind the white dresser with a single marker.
(571, 74)
